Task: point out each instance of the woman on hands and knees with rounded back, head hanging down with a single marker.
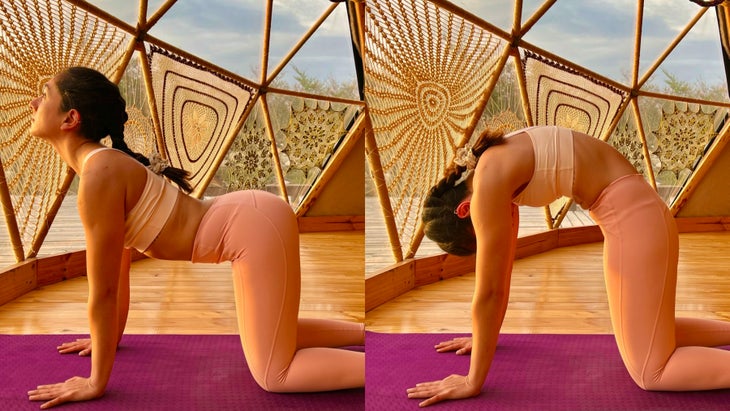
(474, 209)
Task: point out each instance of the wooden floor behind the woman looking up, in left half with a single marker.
(183, 298)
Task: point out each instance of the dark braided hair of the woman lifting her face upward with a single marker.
(103, 113)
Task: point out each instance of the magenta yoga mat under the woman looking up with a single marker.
(156, 372)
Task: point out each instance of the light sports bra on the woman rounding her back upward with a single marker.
(554, 166)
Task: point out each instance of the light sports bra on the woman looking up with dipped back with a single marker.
(146, 219)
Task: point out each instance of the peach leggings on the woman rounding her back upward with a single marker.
(641, 249)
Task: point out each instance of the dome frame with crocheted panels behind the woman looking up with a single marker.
(229, 130)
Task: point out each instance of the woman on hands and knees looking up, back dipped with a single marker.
(123, 204)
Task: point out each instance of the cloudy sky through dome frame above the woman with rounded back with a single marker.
(599, 35)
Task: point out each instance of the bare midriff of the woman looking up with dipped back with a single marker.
(176, 239)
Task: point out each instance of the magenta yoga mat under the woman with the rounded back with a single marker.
(529, 372)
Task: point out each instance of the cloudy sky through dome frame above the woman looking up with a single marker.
(228, 33)
